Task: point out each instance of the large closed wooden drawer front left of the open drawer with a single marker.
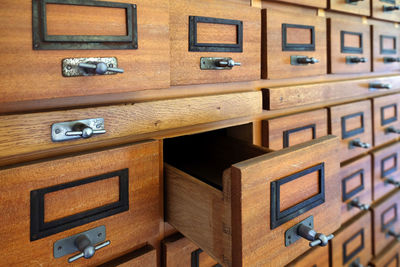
(125, 230)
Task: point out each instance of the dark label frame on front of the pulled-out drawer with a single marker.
(279, 216)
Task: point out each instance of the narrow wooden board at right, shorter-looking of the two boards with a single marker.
(279, 97)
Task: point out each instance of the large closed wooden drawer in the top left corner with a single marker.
(32, 74)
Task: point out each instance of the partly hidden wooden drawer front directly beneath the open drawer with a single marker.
(181, 252)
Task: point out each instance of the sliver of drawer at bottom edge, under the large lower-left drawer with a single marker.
(145, 256)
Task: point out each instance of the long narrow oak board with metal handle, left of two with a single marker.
(28, 133)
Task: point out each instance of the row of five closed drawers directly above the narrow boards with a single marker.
(213, 35)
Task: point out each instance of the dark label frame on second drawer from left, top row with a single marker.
(195, 46)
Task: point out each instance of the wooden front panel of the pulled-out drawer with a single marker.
(314, 174)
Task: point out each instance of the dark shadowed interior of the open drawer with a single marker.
(206, 156)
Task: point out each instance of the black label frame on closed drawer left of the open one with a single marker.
(41, 228)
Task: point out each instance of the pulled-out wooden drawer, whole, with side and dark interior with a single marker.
(236, 201)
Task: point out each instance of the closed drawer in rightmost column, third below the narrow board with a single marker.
(378, 209)
